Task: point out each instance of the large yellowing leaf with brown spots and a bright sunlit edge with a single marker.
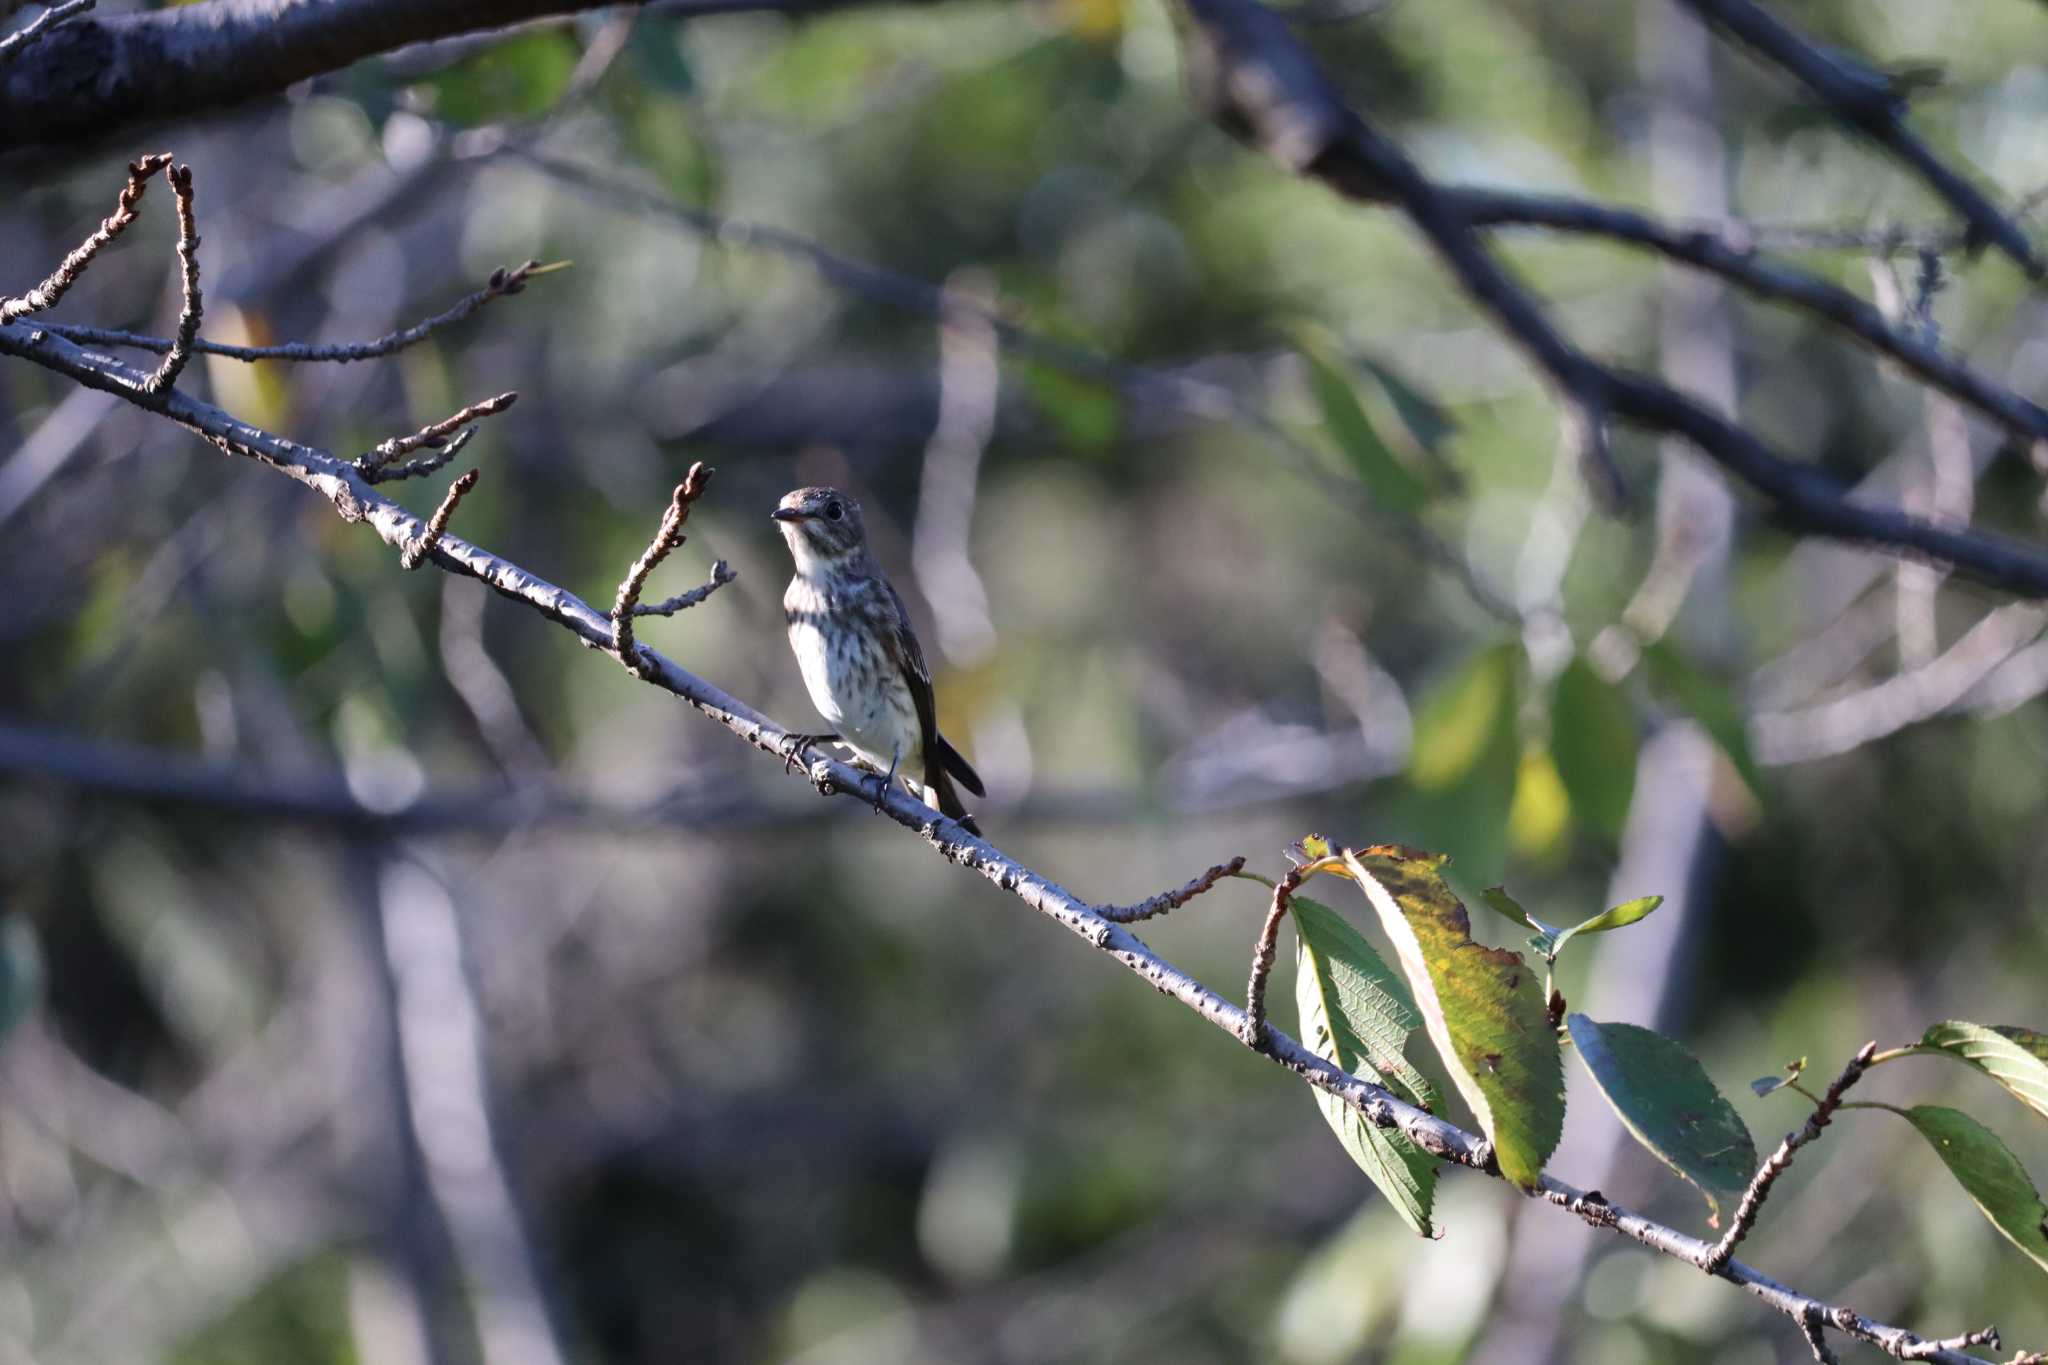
(1482, 1006)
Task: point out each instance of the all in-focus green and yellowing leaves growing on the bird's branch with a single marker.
(1502, 1041)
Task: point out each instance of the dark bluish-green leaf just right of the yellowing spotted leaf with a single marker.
(1668, 1104)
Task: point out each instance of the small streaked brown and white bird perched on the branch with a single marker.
(859, 656)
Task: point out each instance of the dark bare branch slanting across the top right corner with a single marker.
(1871, 103)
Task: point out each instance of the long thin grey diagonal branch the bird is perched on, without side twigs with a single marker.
(355, 500)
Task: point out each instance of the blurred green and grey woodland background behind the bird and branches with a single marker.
(402, 983)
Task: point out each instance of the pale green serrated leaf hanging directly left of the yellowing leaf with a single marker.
(1355, 1012)
